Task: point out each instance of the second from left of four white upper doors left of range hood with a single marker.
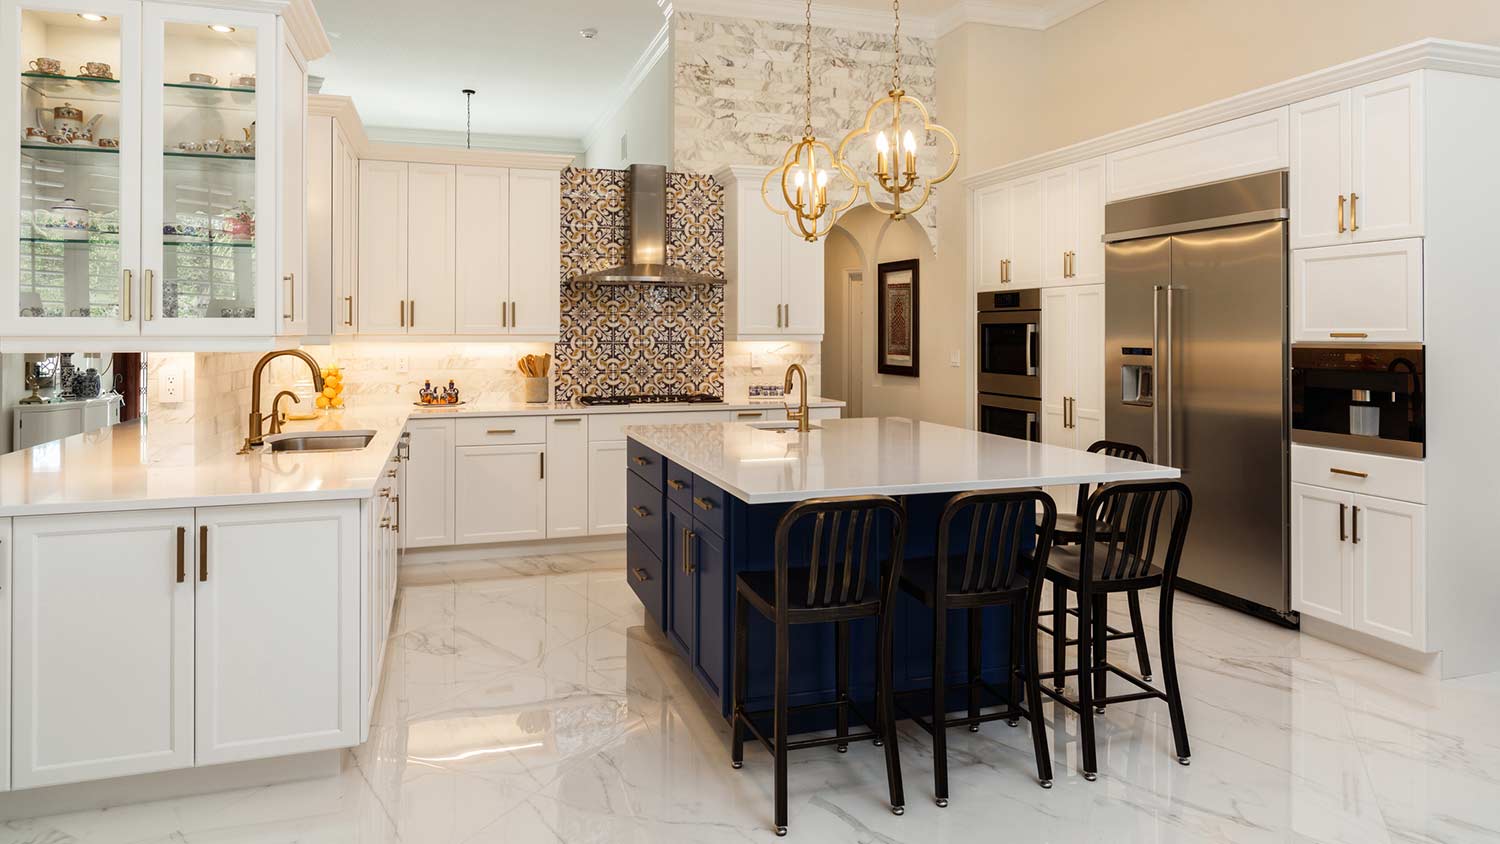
(431, 251)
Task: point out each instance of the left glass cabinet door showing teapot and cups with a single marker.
(73, 248)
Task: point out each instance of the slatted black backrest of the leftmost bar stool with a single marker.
(844, 543)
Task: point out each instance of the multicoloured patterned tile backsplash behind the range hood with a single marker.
(640, 338)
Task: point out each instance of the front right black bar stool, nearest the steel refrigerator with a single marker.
(1124, 551)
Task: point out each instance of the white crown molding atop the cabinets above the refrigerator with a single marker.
(1429, 55)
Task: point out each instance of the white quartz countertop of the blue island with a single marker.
(889, 456)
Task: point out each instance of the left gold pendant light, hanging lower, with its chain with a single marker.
(802, 181)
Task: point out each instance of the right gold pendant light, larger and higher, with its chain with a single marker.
(902, 188)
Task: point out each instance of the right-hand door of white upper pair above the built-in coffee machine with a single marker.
(1388, 158)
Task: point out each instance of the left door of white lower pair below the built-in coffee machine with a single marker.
(1321, 558)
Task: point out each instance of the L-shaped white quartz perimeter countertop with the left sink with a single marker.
(142, 467)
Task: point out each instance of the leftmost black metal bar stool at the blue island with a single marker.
(838, 585)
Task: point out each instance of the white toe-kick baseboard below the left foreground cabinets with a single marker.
(122, 791)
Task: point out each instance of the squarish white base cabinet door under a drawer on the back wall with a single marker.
(503, 494)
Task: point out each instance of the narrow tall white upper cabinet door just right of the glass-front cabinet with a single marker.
(292, 101)
